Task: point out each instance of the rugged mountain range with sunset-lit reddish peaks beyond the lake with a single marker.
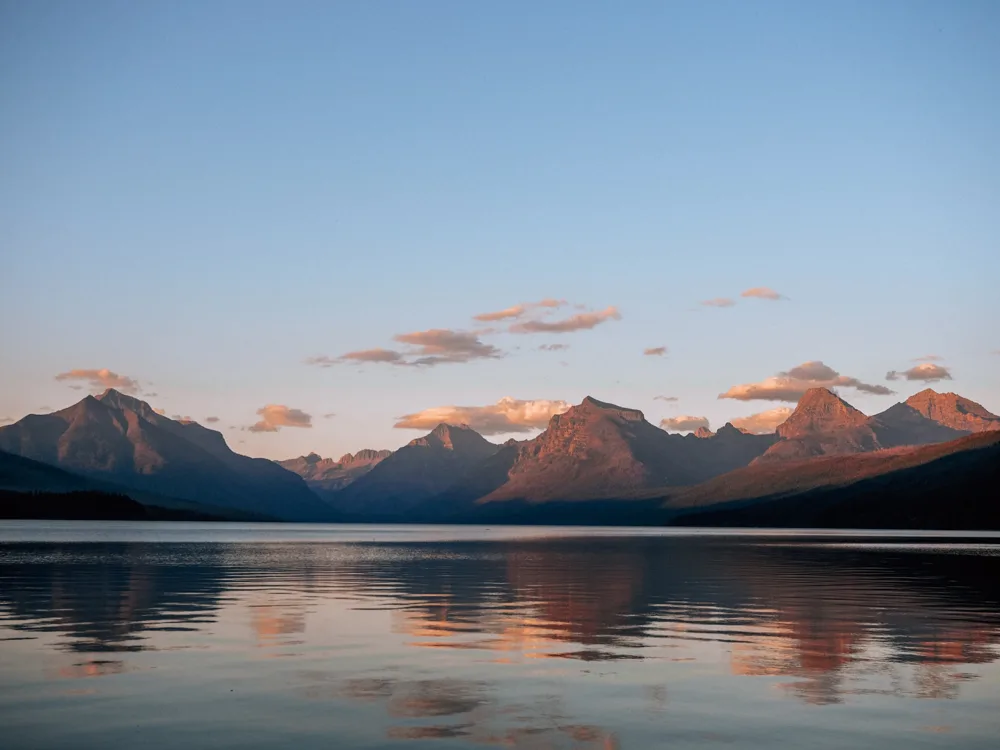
(596, 462)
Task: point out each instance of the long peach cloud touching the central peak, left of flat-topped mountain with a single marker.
(505, 416)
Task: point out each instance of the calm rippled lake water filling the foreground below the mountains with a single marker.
(129, 635)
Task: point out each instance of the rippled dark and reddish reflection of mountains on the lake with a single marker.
(825, 621)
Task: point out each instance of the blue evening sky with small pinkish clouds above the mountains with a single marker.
(306, 223)
